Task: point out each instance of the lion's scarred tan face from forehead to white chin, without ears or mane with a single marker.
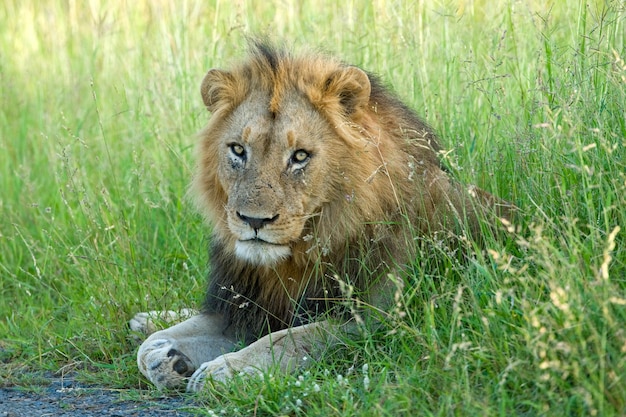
(275, 173)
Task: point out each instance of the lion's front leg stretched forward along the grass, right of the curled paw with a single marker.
(287, 350)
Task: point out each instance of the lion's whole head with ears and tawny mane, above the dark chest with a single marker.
(296, 144)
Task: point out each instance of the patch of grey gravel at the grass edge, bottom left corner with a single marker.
(66, 397)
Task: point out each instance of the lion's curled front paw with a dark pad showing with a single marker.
(163, 364)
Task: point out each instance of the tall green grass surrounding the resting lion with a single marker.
(99, 104)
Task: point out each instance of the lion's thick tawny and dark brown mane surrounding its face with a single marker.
(385, 186)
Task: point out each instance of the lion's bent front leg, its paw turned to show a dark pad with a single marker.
(168, 357)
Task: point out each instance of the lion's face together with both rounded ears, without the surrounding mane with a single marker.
(278, 161)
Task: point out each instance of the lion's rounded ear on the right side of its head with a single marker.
(351, 86)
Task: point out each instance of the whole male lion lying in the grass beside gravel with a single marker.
(312, 175)
